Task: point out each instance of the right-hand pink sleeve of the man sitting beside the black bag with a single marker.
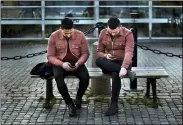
(84, 51)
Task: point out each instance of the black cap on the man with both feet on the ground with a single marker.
(67, 23)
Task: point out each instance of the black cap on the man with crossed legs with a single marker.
(113, 23)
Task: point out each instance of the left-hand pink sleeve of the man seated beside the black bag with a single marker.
(51, 50)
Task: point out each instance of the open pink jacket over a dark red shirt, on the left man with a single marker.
(57, 47)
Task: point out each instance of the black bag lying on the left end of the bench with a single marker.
(44, 70)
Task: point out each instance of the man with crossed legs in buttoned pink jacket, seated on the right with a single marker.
(114, 56)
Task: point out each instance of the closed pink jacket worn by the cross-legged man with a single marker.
(122, 48)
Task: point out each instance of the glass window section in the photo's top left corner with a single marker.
(21, 9)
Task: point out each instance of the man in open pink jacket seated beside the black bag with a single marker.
(67, 52)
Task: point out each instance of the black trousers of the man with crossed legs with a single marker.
(112, 67)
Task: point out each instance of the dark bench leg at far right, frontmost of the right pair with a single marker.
(153, 84)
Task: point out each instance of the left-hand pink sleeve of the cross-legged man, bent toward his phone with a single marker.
(100, 47)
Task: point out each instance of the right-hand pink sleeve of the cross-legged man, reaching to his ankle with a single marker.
(129, 49)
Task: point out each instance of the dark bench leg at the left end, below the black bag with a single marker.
(50, 99)
